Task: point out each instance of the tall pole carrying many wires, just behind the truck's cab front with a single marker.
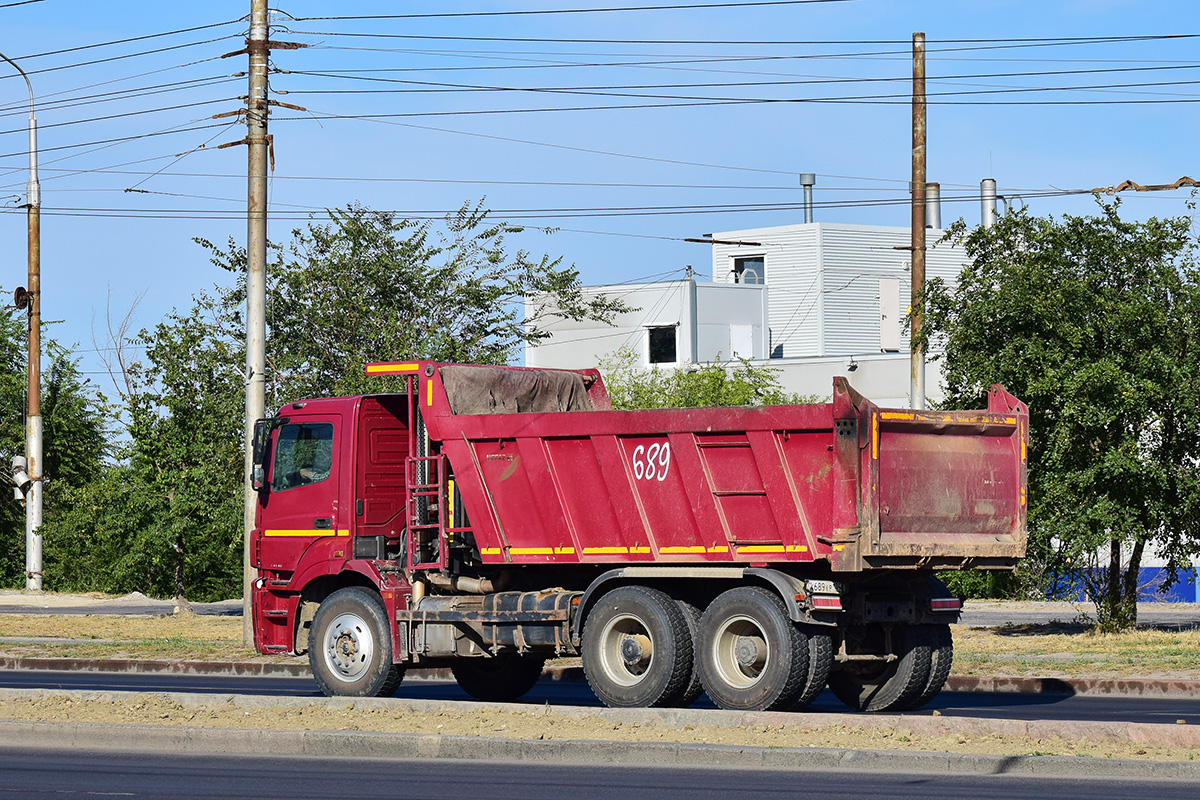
(257, 145)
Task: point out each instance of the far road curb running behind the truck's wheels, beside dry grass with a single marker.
(1097, 687)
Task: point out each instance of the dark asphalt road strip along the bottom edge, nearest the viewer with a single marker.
(65, 775)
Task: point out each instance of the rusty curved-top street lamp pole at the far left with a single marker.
(34, 411)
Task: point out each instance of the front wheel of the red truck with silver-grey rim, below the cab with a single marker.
(350, 648)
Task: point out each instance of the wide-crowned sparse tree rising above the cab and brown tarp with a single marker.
(369, 287)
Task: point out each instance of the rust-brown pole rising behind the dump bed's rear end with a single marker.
(917, 380)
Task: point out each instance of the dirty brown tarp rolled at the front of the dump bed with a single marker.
(493, 390)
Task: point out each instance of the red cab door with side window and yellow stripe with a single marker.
(302, 506)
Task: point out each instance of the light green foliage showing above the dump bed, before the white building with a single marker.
(715, 384)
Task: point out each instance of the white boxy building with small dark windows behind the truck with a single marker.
(812, 300)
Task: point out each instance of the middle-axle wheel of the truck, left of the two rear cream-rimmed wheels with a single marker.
(638, 651)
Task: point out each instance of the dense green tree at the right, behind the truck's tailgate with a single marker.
(1094, 323)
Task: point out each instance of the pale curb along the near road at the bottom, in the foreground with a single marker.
(339, 744)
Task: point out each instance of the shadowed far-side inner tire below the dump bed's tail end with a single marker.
(879, 685)
